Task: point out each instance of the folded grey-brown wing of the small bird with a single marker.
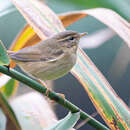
(31, 54)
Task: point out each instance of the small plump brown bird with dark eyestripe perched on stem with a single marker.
(50, 59)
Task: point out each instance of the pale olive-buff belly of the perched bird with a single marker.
(49, 71)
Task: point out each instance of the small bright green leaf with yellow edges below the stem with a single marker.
(9, 88)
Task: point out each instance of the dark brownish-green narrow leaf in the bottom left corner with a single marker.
(8, 111)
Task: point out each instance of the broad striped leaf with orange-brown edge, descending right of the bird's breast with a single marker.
(108, 104)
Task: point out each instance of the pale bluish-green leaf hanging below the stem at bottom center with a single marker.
(67, 123)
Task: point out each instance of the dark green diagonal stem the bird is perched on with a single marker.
(52, 95)
